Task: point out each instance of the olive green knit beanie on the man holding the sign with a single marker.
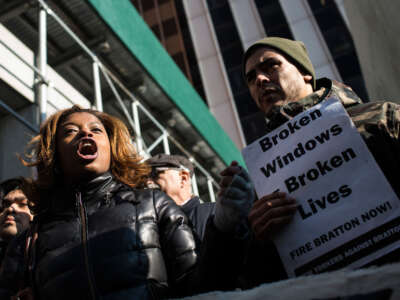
(294, 50)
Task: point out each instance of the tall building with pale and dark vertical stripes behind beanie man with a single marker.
(220, 31)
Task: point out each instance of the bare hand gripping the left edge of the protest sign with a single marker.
(270, 213)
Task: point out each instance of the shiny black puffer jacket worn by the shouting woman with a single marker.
(106, 241)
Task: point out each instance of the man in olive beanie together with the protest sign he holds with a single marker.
(347, 212)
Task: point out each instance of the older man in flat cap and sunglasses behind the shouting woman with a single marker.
(173, 173)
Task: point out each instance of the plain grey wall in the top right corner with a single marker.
(375, 26)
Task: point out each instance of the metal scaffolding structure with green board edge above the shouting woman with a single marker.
(101, 54)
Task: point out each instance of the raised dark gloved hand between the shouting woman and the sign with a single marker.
(235, 198)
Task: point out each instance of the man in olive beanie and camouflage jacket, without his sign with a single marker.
(281, 79)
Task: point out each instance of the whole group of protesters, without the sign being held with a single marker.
(98, 222)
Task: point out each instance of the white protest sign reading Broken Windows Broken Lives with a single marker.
(348, 214)
